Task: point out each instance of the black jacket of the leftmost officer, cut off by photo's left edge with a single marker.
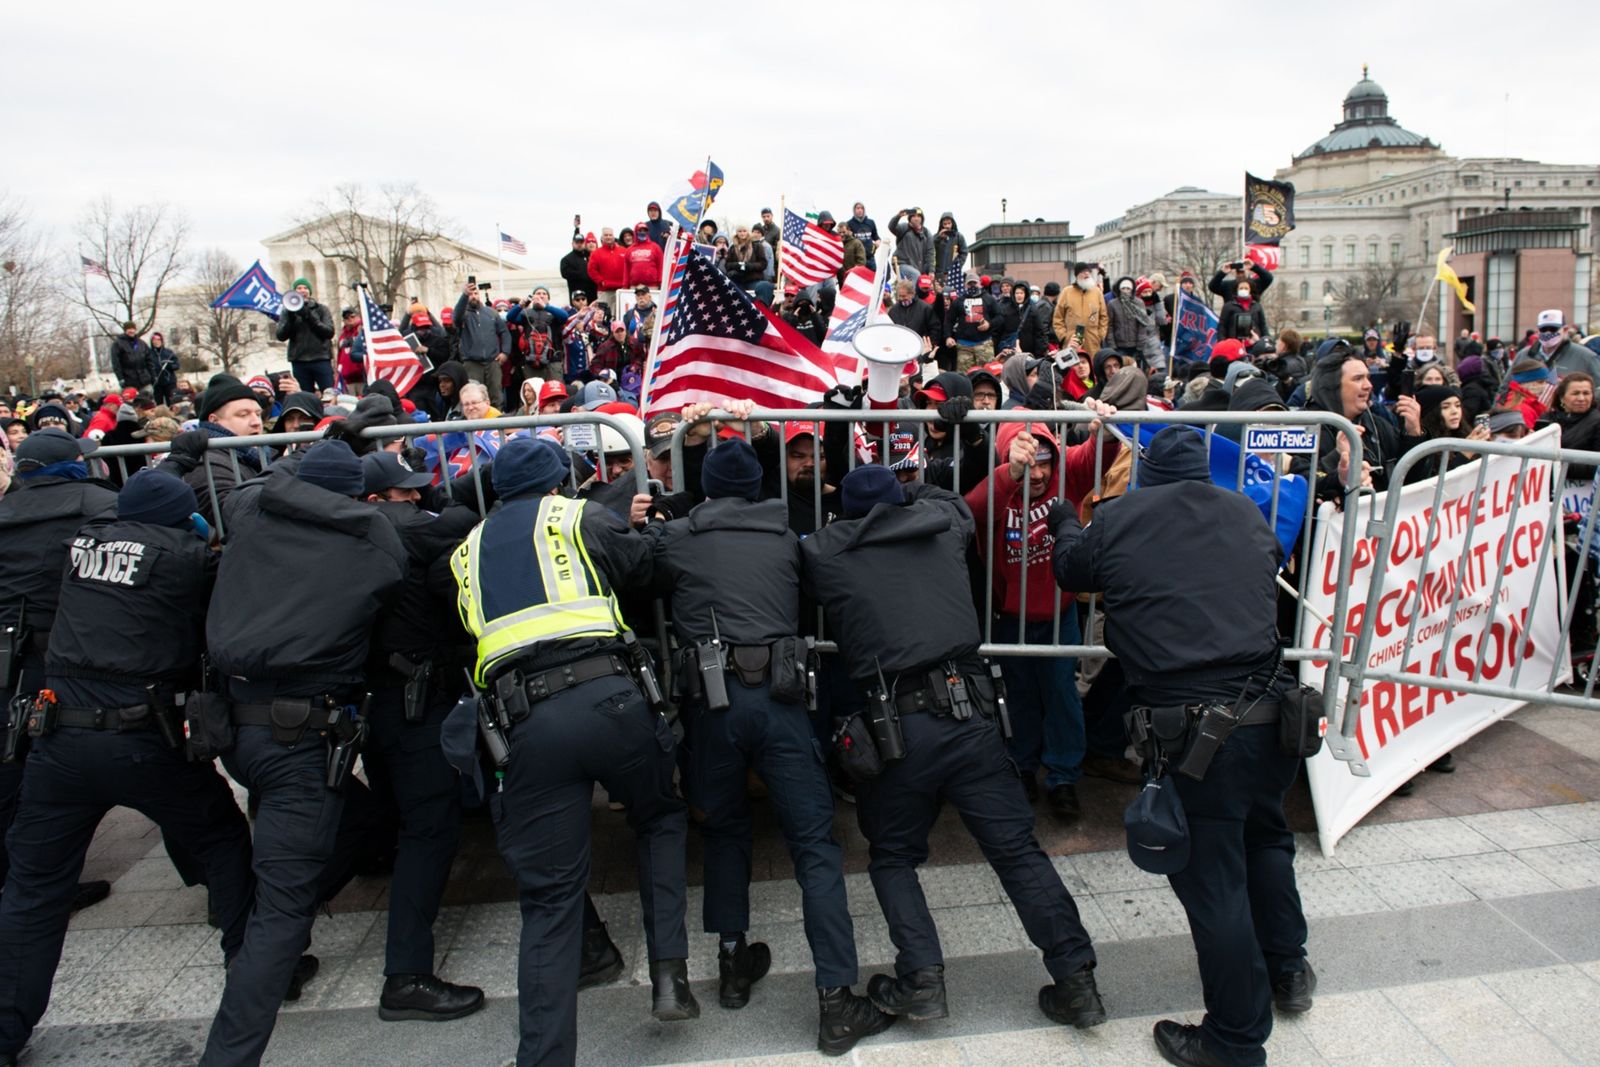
(36, 526)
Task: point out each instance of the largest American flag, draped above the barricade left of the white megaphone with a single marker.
(719, 346)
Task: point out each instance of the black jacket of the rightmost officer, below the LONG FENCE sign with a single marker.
(1202, 620)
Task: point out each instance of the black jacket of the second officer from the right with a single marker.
(894, 583)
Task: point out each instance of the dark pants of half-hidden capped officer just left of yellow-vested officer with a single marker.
(404, 762)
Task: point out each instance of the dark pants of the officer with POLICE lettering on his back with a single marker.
(73, 780)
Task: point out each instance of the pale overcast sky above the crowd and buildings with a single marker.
(244, 113)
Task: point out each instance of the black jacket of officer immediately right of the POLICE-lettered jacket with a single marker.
(303, 580)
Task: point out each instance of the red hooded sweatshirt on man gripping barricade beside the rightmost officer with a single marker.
(1042, 591)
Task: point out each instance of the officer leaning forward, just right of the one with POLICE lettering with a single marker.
(294, 663)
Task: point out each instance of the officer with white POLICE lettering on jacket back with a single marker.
(129, 636)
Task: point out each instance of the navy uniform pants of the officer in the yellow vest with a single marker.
(596, 732)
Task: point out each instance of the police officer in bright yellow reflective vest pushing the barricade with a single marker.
(558, 669)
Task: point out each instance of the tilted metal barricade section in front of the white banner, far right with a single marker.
(1383, 529)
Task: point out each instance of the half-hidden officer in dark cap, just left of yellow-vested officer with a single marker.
(415, 674)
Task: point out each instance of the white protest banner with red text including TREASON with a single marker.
(1407, 727)
